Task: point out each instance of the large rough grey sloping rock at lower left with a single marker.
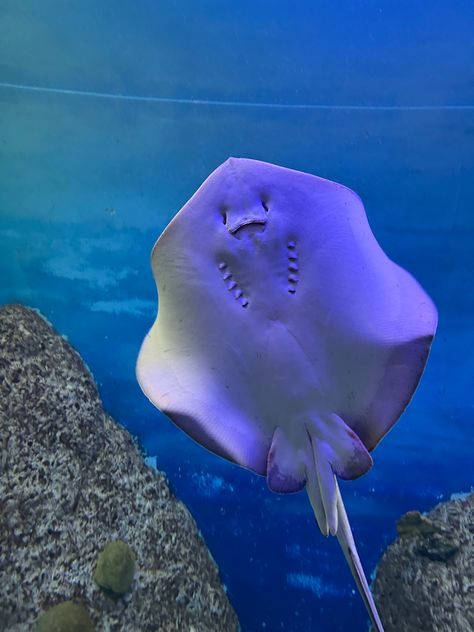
(71, 480)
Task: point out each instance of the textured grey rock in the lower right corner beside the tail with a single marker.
(425, 579)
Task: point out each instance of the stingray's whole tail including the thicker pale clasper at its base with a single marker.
(330, 513)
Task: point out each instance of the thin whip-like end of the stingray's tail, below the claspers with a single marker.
(346, 540)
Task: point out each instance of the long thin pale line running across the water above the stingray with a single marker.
(242, 104)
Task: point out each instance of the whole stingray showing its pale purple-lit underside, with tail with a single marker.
(286, 340)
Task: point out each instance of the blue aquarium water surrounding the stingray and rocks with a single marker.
(113, 113)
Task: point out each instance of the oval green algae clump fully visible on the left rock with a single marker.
(115, 568)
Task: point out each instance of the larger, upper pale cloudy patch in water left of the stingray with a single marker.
(65, 268)
